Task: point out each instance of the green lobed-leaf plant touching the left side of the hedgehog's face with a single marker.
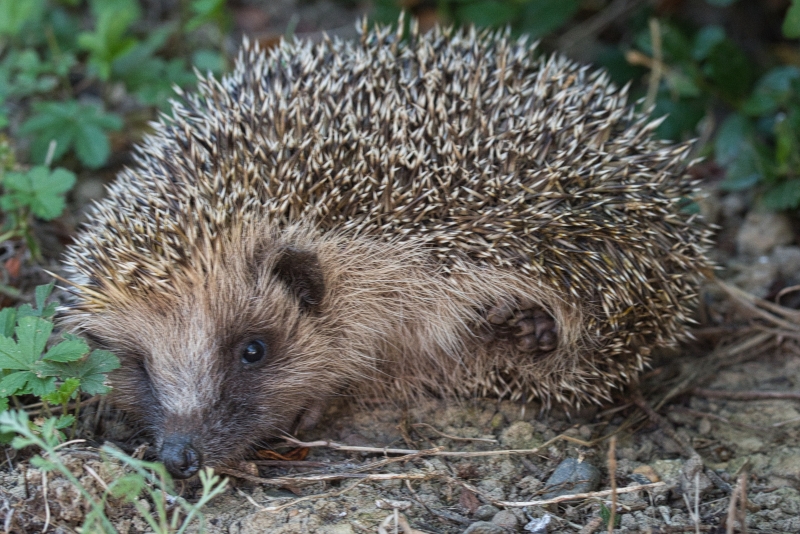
(55, 375)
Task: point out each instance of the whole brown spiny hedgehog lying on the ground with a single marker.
(447, 213)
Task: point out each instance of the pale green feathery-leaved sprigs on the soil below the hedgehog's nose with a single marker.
(172, 514)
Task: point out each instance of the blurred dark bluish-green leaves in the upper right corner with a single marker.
(699, 73)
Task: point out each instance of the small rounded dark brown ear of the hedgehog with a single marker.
(301, 271)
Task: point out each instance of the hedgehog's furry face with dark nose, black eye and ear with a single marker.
(226, 360)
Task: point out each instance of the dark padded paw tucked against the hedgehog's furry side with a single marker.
(529, 327)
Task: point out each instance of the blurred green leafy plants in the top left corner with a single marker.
(51, 51)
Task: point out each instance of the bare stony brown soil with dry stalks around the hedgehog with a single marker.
(702, 445)
